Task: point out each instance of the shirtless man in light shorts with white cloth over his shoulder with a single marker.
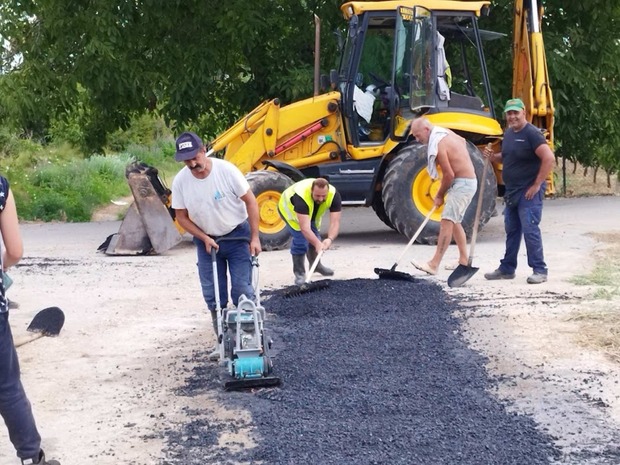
(458, 183)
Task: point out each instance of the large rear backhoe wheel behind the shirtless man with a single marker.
(407, 213)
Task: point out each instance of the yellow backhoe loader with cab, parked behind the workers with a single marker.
(399, 60)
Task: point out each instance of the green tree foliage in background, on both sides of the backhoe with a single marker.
(89, 69)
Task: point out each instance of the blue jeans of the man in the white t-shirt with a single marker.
(233, 256)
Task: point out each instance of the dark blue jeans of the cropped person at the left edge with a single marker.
(14, 405)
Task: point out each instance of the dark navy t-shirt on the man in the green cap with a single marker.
(521, 164)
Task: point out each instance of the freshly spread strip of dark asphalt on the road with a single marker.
(373, 372)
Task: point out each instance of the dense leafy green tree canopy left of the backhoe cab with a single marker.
(194, 62)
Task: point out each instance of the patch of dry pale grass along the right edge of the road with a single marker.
(600, 321)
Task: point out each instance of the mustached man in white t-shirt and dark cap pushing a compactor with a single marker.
(214, 203)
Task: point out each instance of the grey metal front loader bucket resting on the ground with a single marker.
(148, 226)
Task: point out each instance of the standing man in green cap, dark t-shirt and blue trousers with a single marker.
(527, 161)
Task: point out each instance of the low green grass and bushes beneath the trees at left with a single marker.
(55, 182)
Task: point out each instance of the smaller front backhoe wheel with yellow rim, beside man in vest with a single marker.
(268, 186)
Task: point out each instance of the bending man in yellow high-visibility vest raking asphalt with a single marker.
(302, 207)
